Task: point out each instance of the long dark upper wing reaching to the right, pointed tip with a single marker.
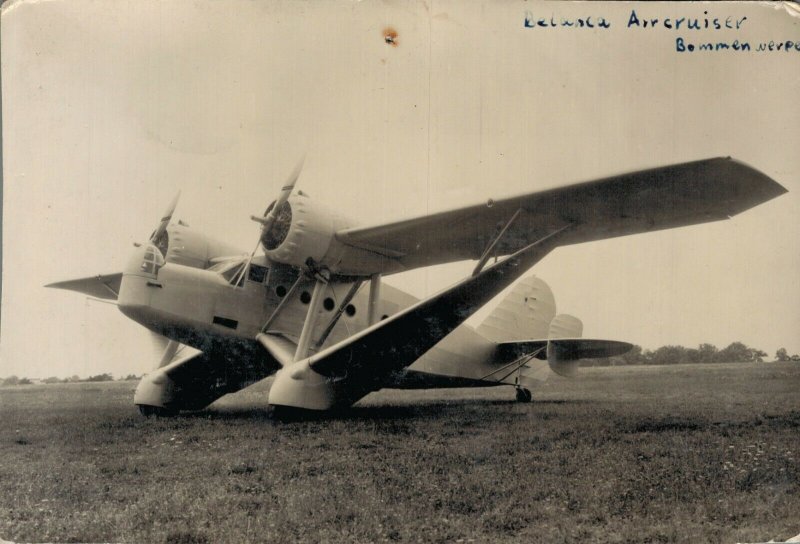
(643, 201)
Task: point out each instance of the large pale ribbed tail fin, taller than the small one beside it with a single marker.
(525, 313)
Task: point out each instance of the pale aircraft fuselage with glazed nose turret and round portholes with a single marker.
(221, 308)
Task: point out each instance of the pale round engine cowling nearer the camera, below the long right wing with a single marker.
(305, 229)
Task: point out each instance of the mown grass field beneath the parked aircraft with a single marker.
(637, 454)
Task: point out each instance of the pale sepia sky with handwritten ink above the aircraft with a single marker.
(110, 108)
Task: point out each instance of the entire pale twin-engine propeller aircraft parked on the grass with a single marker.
(310, 306)
